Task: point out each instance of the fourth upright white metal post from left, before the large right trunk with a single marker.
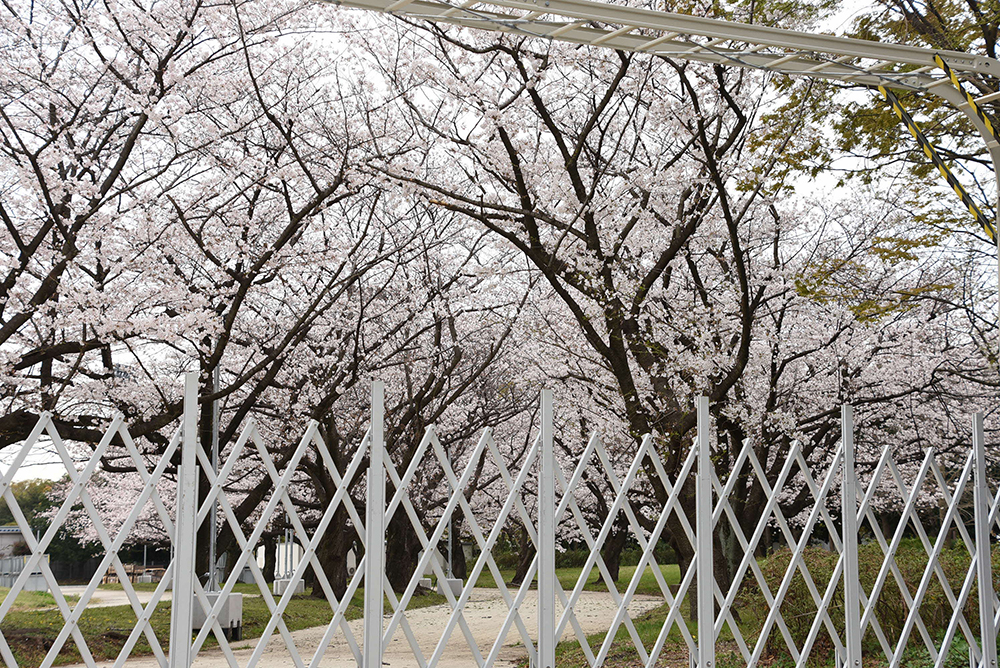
(703, 521)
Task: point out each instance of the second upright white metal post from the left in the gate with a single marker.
(375, 532)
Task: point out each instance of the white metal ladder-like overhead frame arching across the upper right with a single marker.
(788, 52)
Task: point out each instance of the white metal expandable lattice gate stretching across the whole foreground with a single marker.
(845, 603)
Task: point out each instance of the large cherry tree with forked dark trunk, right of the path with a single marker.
(668, 240)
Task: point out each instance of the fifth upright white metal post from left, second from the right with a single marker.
(849, 516)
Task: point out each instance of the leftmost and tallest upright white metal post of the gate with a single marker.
(185, 531)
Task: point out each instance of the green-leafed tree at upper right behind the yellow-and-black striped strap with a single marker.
(853, 138)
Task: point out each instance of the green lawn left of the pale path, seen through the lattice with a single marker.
(32, 632)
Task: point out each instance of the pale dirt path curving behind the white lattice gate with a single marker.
(485, 614)
